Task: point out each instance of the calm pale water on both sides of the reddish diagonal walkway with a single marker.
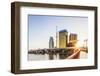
(58, 56)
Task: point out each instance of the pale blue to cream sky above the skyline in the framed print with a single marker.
(42, 27)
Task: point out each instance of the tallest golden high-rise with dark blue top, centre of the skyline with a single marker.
(63, 38)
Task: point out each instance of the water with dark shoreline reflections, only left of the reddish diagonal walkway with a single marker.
(50, 55)
